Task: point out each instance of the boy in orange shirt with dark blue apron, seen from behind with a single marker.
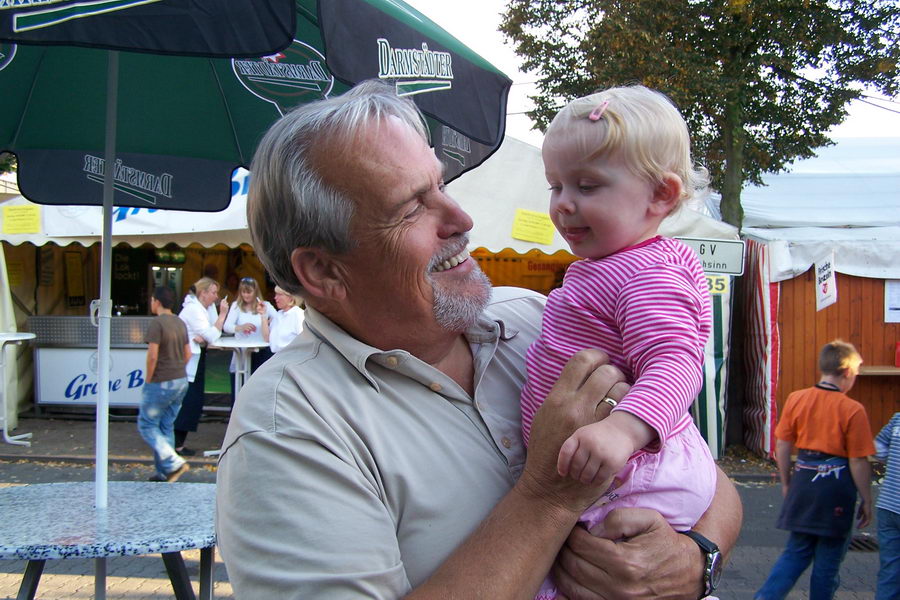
(831, 434)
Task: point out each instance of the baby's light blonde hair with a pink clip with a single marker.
(640, 125)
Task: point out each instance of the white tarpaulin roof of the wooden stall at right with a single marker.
(846, 200)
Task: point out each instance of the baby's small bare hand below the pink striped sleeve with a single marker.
(595, 452)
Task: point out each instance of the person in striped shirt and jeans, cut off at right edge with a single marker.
(887, 509)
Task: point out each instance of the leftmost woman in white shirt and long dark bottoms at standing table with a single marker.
(204, 327)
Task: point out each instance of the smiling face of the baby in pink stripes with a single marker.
(599, 206)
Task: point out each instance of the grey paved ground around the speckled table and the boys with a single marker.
(63, 451)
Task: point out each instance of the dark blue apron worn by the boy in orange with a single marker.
(821, 497)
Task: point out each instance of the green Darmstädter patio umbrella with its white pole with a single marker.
(175, 119)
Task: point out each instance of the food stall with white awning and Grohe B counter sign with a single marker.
(52, 260)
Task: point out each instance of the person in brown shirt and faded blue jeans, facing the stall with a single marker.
(165, 384)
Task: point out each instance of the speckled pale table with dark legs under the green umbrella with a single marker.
(51, 521)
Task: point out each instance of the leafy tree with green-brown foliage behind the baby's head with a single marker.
(760, 82)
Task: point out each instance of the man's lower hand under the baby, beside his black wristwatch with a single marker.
(639, 556)
